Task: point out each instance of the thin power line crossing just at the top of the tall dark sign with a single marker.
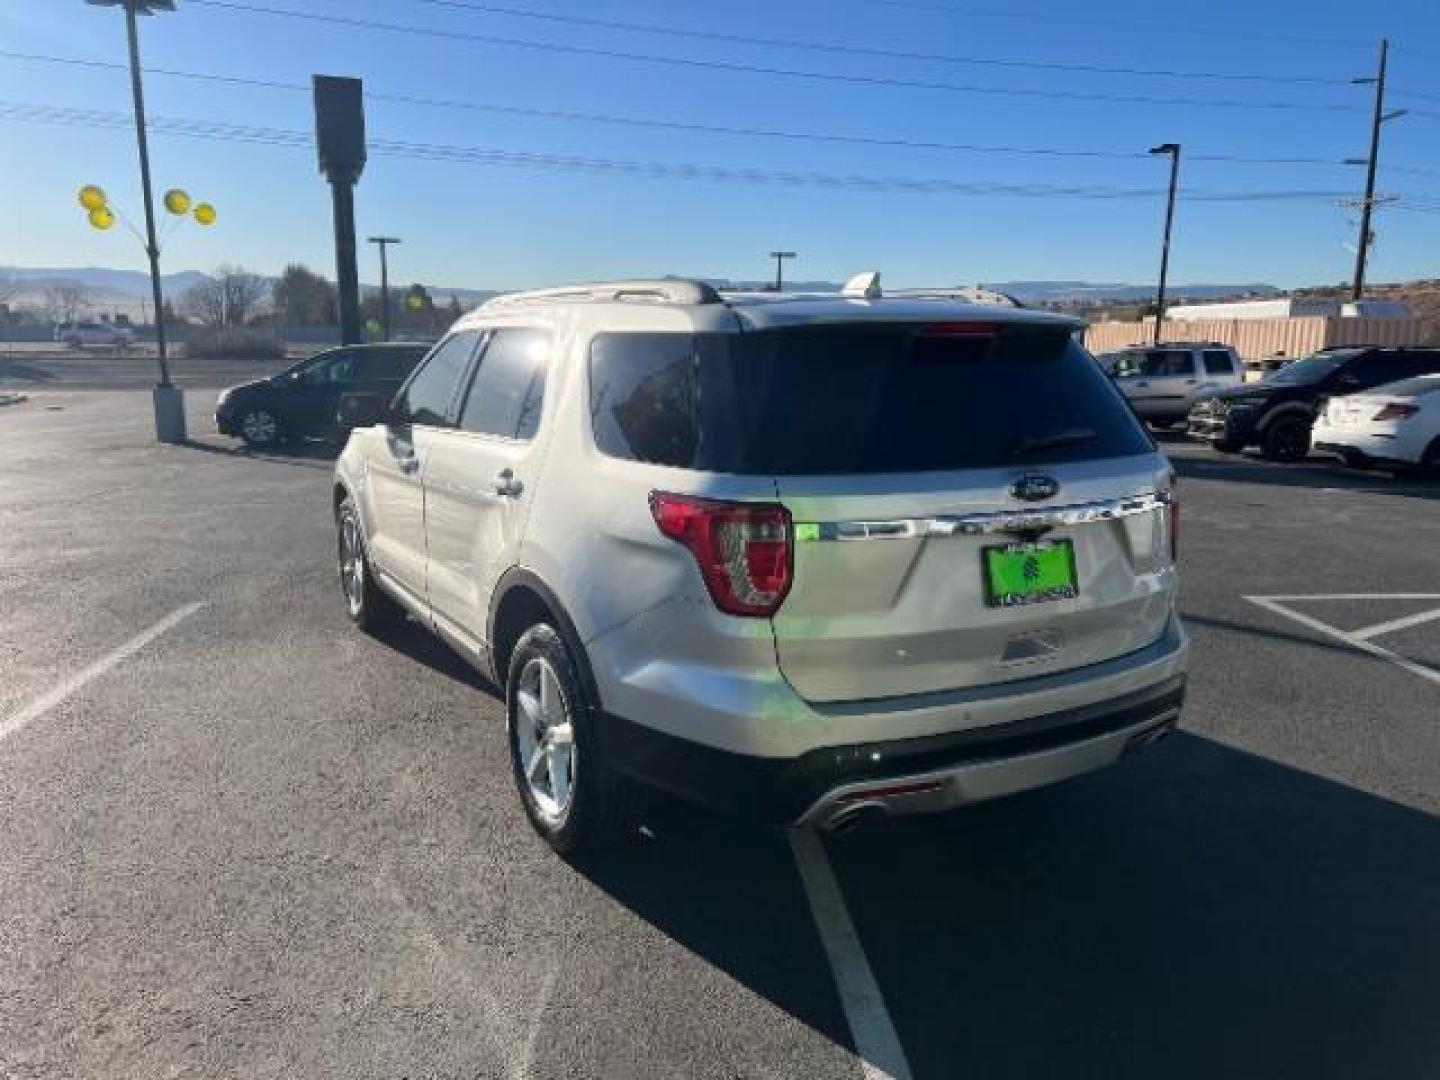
(688, 126)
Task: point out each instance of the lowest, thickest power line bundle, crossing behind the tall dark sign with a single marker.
(552, 162)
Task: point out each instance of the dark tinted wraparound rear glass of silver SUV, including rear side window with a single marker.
(856, 400)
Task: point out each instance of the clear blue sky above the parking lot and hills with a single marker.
(500, 227)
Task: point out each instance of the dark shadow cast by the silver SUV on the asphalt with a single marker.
(1196, 912)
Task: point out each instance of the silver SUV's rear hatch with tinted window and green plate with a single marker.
(924, 466)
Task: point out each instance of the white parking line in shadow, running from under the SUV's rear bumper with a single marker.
(876, 1042)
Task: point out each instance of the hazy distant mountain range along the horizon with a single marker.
(117, 286)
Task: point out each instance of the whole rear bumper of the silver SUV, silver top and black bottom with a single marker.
(774, 757)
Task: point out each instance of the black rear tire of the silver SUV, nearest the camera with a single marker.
(603, 809)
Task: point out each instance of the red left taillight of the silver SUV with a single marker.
(744, 549)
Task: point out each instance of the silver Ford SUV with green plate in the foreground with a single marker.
(809, 559)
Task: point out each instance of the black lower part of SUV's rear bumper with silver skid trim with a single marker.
(898, 777)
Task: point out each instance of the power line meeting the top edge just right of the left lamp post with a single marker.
(771, 71)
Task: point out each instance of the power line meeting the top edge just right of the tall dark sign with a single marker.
(834, 48)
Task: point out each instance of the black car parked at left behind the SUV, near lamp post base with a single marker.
(302, 401)
